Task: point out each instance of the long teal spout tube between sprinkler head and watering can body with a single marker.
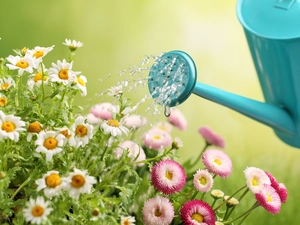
(268, 114)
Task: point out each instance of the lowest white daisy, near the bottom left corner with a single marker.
(37, 210)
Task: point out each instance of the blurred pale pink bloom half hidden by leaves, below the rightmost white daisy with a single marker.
(135, 151)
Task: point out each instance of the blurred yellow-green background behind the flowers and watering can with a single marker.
(118, 34)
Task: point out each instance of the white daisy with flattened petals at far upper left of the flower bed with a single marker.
(25, 63)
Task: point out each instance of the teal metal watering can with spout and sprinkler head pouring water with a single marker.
(272, 29)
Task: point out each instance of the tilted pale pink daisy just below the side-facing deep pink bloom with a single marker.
(217, 162)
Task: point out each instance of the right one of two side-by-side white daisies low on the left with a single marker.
(79, 182)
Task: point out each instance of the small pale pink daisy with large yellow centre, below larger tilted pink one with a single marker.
(203, 181)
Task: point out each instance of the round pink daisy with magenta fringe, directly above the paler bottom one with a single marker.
(168, 176)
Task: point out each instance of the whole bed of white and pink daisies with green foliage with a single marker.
(111, 165)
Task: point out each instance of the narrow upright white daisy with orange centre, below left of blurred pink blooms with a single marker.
(83, 131)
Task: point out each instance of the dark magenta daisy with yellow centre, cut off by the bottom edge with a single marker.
(196, 212)
